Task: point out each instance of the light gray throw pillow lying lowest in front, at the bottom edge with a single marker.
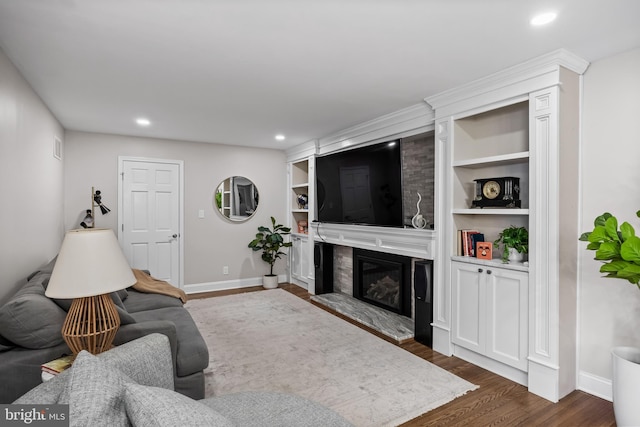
(153, 406)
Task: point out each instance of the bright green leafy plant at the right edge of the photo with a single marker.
(618, 249)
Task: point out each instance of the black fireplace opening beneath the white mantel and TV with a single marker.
(382, 280)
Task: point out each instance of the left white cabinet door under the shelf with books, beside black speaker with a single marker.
(469, 306)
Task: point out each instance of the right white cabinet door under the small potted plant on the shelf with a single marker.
(507, 316)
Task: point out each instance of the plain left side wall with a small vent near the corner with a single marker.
(31, 181)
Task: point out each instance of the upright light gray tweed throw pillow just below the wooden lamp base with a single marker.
(95, 393)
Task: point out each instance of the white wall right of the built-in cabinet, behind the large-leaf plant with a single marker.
(609, 309)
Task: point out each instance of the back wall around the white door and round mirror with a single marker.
(209, 243)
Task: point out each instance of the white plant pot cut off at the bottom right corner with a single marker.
(626, 385)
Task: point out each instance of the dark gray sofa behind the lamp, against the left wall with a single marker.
(31, 324)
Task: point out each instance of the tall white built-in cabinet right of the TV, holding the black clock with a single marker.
(516, 320)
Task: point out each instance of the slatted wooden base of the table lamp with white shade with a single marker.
(91, 324)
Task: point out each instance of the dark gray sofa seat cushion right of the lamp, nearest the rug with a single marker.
(193, 355)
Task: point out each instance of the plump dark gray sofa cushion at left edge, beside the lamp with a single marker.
(31, 320)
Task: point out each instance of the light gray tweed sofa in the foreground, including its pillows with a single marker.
(132, 385)
